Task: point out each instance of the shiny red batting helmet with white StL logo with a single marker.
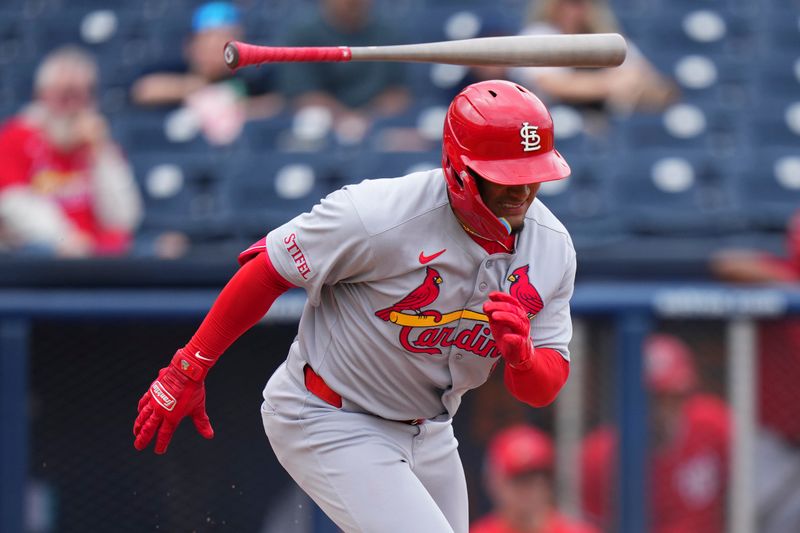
(503, 133)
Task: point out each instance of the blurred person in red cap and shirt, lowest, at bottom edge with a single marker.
(519, 479)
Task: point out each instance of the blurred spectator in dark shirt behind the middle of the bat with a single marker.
(353, 92)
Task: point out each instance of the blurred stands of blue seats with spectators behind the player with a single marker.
(147, 145)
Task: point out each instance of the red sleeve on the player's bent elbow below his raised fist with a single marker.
(539, 384)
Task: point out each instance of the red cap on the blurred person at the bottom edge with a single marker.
(520, 449)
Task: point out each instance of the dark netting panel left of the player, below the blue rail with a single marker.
(87, 378)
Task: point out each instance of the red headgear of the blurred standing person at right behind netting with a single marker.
(668, 365)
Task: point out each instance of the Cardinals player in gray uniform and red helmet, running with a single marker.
(417, 287)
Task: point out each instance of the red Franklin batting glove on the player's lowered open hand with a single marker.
(178, 391)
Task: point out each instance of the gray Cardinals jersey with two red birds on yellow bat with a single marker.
(394, 320)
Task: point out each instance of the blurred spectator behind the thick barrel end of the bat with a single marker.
(635, 85)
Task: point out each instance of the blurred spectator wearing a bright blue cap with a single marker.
(221, 100)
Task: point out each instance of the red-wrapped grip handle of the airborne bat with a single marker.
(238, 54)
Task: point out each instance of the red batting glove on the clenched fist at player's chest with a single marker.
(511, 329)
